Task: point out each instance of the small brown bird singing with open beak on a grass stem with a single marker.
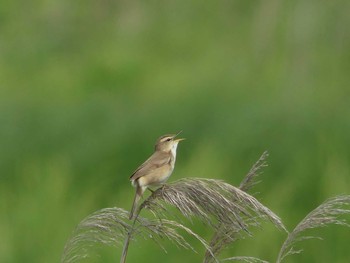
(156, 169)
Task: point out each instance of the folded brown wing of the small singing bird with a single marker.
(155, 161)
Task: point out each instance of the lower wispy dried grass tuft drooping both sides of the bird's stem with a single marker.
(111, 227)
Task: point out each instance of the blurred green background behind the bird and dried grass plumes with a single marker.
(88, 86)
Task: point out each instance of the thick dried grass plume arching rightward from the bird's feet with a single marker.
(211, 201)
